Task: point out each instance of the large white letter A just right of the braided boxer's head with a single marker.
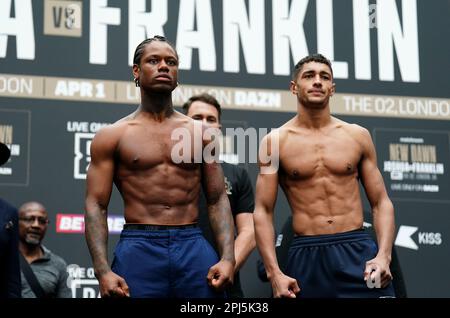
(199, 11)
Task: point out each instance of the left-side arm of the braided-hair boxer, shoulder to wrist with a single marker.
(98, 193)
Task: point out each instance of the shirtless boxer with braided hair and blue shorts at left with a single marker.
(152, 157)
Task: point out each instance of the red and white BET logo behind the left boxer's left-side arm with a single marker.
(74, 223)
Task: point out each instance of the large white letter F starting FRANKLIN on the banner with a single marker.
(100, 17)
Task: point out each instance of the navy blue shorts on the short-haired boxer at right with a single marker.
(331, 266)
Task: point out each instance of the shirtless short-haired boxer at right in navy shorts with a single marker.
(318, 162)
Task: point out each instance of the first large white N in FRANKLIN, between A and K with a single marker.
(249, 31)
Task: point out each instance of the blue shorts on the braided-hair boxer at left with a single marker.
(165, 263)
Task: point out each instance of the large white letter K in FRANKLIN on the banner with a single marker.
(288, 32)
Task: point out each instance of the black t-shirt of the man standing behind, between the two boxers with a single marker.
(240, 194)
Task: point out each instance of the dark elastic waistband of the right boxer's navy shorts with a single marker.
(327, 239)
